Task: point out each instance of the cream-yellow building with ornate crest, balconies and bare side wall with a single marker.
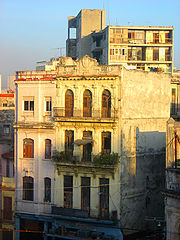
(135, 129)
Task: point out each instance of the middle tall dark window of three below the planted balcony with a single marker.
(85, 193)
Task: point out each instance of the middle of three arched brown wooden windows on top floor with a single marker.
(87, 103)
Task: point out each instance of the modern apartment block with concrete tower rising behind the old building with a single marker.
(139, 47)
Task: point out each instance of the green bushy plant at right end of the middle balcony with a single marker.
(106, 159)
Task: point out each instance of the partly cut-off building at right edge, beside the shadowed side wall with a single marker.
(172, 190)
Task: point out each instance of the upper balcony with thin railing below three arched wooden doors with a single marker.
(60, 114)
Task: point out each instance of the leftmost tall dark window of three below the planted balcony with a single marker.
(68, 191)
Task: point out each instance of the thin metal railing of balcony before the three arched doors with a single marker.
(80, 114)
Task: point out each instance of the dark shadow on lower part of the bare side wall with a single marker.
(144, 174)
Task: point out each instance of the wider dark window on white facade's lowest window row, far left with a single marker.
(28, 188)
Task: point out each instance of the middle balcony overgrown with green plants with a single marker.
(100, 164)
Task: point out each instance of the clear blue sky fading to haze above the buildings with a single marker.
(32, 30)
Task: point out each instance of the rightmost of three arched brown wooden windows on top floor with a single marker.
(106, 104)
